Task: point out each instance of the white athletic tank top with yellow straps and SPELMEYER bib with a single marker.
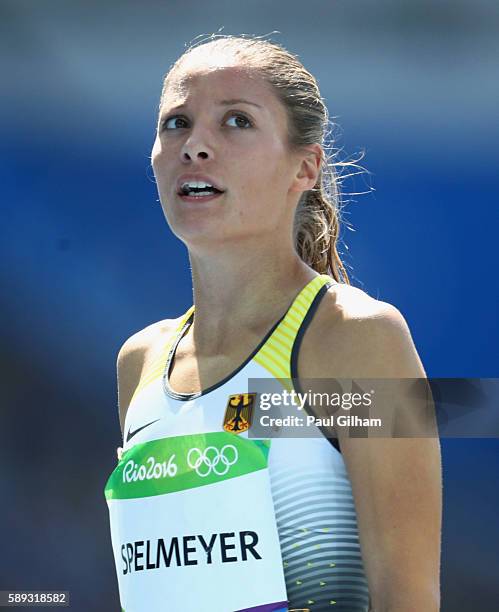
(205, 518)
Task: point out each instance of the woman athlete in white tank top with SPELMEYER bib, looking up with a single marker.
(204, 517)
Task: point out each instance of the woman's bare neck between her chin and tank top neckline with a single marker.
(242, 292)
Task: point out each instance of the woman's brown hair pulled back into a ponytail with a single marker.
(317, 219)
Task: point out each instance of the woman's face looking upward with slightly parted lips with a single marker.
(223, 123)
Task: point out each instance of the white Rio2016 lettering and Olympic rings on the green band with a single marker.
(204, 462)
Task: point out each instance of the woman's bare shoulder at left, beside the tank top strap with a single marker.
(133, 357)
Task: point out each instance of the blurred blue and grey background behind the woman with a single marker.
(87, 258)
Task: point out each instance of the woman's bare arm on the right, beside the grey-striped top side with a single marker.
(396, 482)
